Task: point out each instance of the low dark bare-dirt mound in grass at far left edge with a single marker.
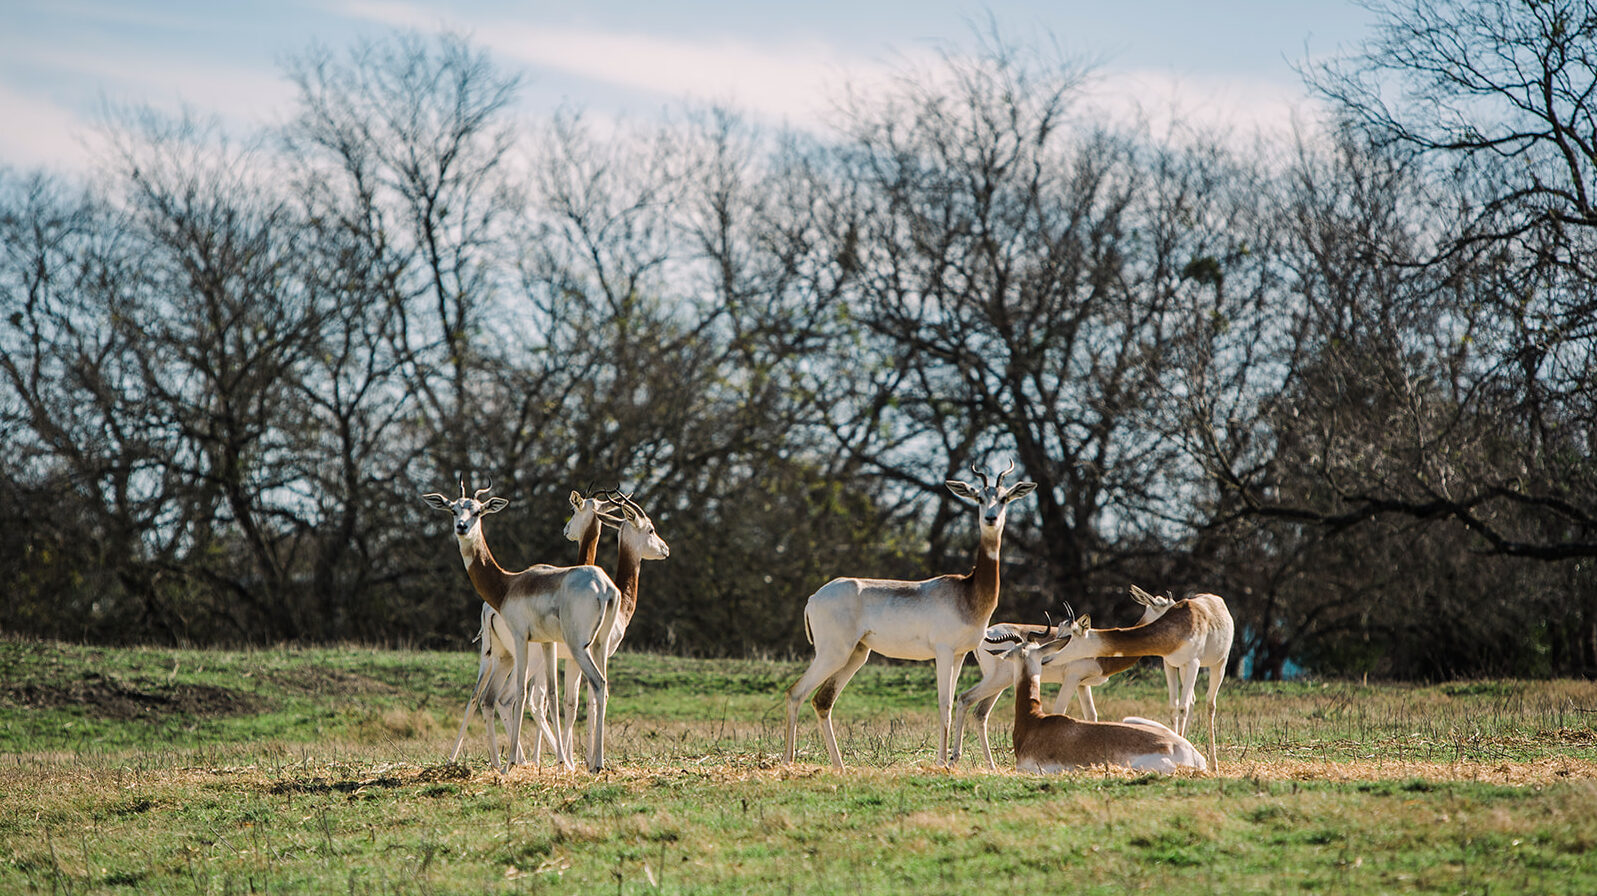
(121, 700)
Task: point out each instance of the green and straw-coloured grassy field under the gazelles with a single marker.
(323, 772)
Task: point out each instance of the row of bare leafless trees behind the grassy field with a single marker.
(1344, 381)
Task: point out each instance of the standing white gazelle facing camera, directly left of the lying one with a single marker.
(938, 619)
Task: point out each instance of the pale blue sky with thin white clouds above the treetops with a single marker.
(1224, 61)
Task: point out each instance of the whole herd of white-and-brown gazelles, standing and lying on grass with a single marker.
(581, 614)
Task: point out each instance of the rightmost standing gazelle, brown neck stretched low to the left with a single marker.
(1191, 635)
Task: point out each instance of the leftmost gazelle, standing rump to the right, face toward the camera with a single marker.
(541, 605)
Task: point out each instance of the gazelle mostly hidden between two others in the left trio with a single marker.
(494, 692)
